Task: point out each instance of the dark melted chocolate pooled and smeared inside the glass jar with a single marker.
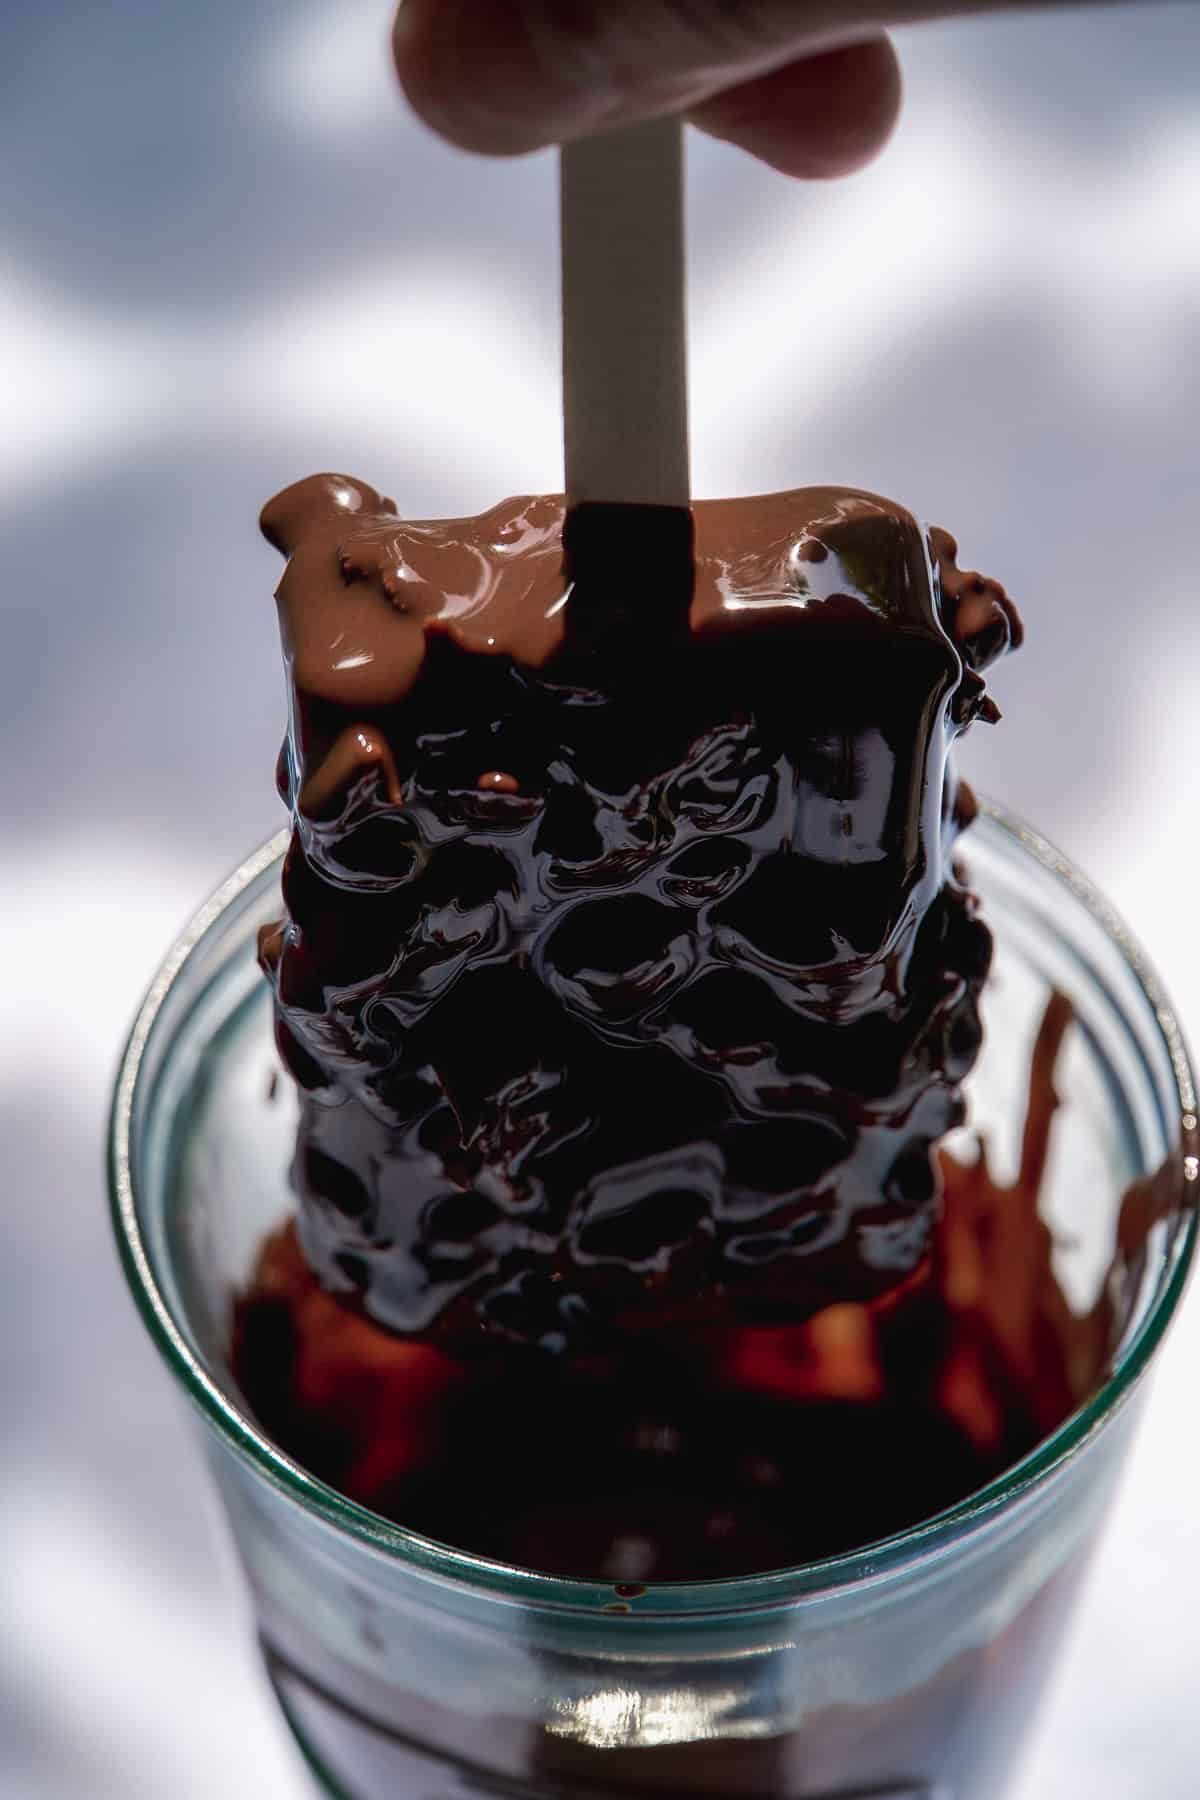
(721, 1452)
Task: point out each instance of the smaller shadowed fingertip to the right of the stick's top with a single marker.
(821, 116)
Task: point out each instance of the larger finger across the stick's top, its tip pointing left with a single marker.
(506, 76)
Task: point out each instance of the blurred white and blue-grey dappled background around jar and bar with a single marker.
(228, 258)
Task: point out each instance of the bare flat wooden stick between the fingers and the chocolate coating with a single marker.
(625, 346)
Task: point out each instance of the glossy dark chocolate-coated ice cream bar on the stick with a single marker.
(625, 973)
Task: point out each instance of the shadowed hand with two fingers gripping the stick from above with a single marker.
(812, 87)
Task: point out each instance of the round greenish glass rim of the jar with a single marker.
(663, 1601)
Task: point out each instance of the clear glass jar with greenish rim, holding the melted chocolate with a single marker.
(906, 1669)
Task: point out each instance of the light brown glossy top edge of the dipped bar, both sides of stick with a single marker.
(364, 589)
